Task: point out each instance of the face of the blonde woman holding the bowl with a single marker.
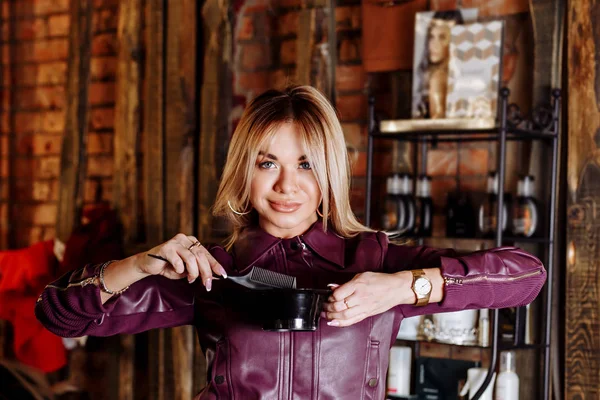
(284, 190)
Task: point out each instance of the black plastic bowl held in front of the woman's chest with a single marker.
(284, 310)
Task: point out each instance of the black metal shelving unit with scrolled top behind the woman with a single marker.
(543, 124)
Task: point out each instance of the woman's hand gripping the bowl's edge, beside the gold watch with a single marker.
(367, 294)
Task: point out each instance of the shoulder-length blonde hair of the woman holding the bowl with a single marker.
(323, 140)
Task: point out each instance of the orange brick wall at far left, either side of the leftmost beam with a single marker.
(34, 61)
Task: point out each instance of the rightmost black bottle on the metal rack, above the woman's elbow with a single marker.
(525, 210)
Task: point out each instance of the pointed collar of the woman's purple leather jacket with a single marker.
(253, 243)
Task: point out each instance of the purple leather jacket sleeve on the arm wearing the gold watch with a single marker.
(495, 278)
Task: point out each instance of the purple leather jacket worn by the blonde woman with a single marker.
(245, 362)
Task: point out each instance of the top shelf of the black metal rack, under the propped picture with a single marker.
(388, 131)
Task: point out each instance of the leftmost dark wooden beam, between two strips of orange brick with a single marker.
(73, 160)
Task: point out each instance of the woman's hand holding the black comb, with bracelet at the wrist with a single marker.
(187, 258)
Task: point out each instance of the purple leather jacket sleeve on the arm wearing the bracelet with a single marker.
(71, 306)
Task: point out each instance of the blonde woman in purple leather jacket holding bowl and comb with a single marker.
(287, 167)
